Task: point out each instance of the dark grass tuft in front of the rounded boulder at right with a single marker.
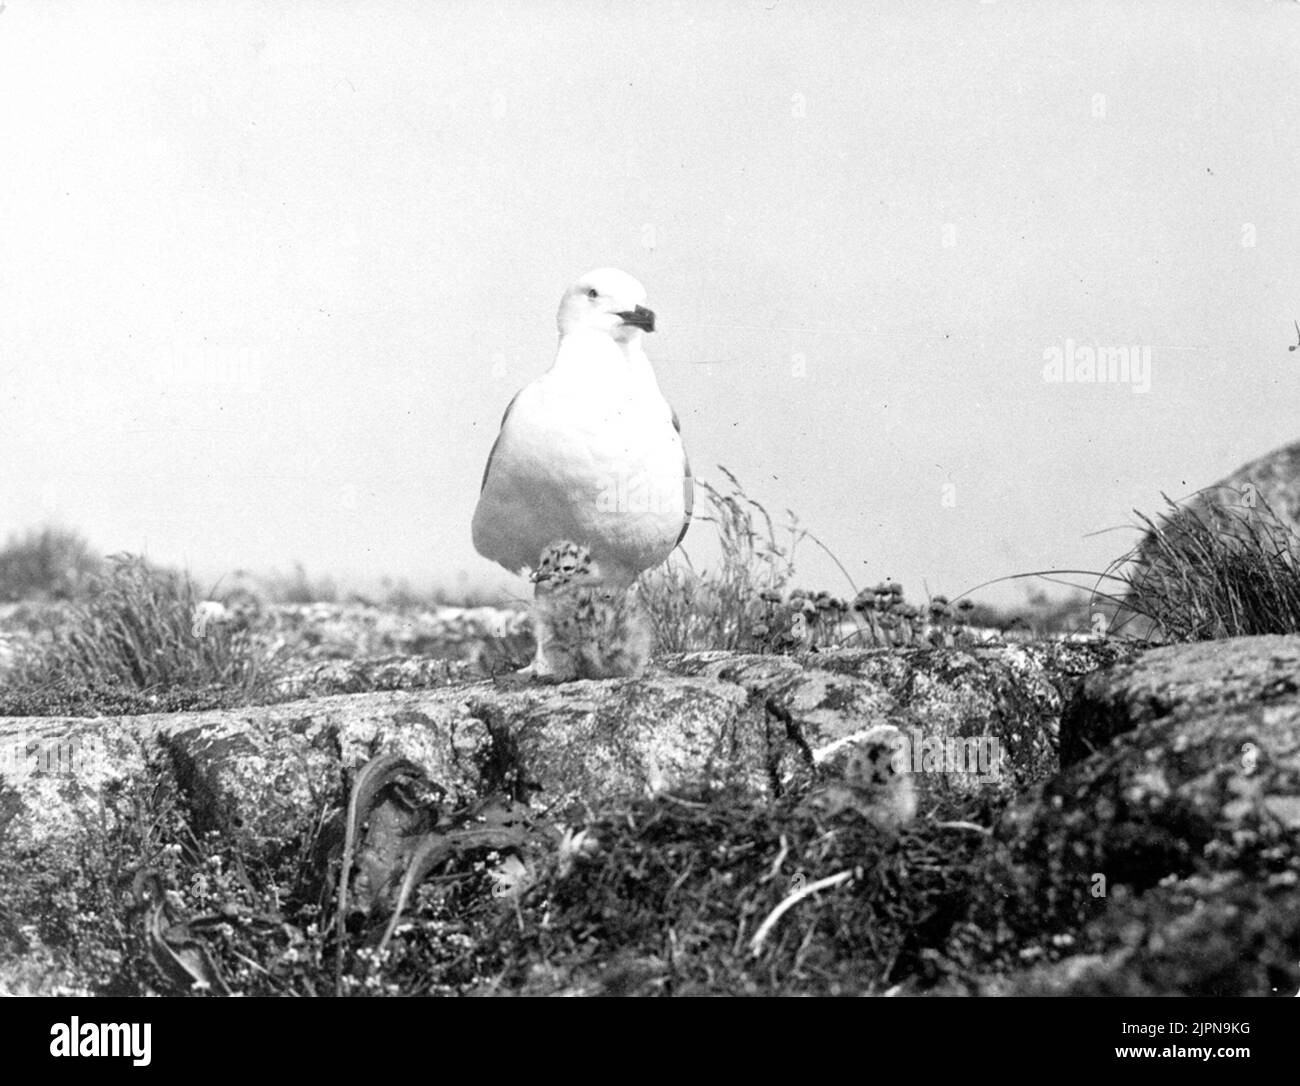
(1216, 570)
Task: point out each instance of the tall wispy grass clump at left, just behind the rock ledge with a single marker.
(138, 631)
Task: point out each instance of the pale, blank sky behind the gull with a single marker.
(271, 272)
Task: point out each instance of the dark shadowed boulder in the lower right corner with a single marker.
(1175, 850)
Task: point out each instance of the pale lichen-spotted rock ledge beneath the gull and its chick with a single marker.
(757, 722)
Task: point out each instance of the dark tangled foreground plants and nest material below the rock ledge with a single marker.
(590, 914)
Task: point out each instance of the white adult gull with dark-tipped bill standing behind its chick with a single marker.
(590, 453)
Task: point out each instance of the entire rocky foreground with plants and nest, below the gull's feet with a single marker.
(707, 795)
